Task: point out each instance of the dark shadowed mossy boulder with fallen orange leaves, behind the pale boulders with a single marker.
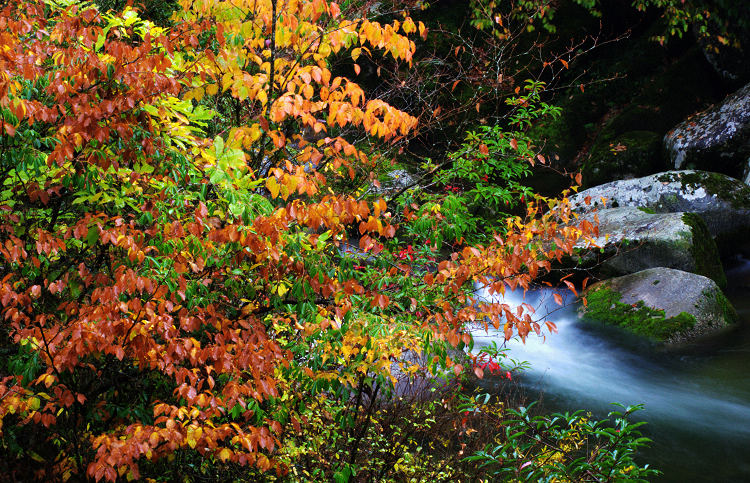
(629, 155)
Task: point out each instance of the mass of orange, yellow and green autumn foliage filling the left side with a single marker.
(173, 279)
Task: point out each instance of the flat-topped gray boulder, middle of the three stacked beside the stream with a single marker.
(633, 240)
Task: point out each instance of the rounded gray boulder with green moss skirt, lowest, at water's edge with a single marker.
(662, 304)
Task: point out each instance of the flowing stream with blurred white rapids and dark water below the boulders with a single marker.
(696, 400)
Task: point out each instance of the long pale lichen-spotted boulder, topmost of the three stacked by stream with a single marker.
(722, 202)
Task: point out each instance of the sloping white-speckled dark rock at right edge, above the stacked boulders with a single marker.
(717, 139)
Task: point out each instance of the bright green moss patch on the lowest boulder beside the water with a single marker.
(603, 305)
